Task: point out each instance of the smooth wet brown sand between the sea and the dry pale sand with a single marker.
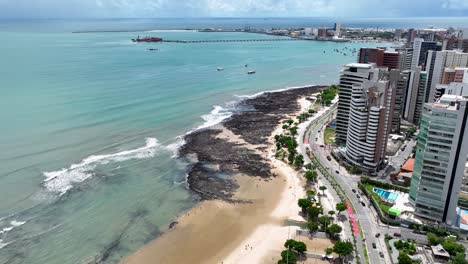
(210, 231)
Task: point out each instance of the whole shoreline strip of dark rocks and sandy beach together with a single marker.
(254, 202)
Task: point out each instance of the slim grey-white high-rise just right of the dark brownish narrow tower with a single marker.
(415, 95)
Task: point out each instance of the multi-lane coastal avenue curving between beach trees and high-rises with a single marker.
(347, 183)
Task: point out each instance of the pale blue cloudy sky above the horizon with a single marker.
(230, 8)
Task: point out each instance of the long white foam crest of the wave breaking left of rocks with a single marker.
(62, 180)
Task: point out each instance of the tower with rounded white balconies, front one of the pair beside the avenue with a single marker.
(369, 123)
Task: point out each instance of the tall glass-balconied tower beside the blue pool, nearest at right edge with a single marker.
(441, 154)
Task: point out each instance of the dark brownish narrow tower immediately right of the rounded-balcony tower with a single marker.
(399, 80)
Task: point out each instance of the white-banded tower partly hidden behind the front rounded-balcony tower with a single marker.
(353, 73)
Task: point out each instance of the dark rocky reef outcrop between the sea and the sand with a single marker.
(219, 158)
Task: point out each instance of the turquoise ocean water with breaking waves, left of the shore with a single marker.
(90, 124)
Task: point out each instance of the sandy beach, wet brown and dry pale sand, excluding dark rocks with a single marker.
(251, 231)
